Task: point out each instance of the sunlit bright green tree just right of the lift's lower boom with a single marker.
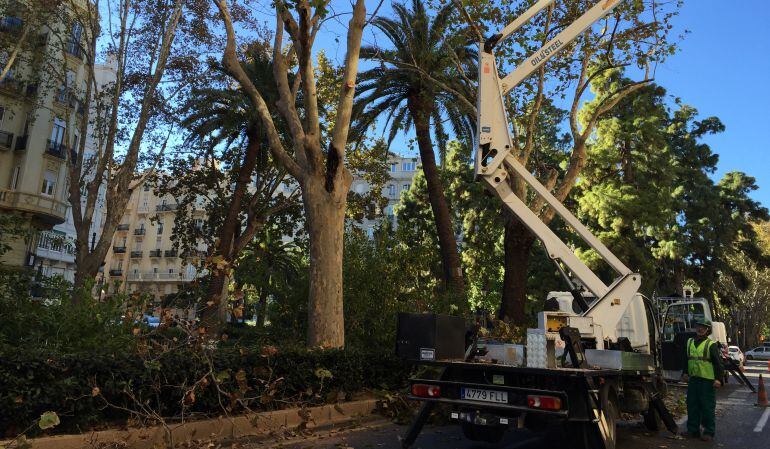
(626, 191)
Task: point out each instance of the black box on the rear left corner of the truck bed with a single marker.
(428, 336)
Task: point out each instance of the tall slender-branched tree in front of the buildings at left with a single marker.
(120, 116)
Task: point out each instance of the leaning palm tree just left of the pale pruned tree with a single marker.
(223, 118)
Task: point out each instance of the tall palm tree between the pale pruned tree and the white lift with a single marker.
(422, 81)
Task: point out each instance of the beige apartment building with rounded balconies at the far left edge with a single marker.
(38, 125)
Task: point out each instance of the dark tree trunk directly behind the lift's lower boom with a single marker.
(518, 249)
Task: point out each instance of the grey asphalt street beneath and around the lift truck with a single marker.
(740, 424)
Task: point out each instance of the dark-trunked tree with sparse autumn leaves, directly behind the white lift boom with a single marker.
(634, 34)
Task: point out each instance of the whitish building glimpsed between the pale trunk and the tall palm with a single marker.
(401, 170)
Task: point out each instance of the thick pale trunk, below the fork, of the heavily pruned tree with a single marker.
(325, 215)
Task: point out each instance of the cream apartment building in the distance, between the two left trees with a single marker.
(142, 257)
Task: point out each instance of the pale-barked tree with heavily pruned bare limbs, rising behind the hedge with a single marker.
(321, 173)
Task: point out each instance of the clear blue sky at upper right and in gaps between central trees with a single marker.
(722, 69)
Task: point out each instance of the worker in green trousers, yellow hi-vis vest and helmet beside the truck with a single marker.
(703, 373)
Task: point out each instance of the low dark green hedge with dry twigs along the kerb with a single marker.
(90, 391)
